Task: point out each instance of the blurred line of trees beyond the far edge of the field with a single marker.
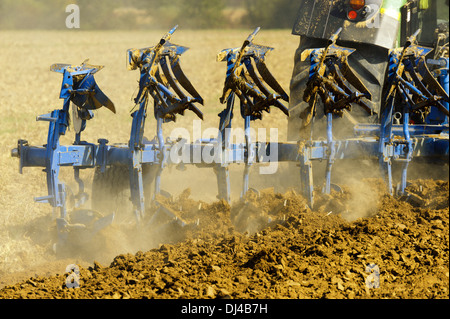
(144, 14)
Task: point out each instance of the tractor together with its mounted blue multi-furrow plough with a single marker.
(370, 83)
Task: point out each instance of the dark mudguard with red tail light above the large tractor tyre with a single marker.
(320, 19)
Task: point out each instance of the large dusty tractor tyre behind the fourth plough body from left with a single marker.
(368, 61)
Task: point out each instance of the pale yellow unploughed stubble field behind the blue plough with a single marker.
(29, 89)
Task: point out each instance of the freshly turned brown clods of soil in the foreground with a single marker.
(271, 245)
